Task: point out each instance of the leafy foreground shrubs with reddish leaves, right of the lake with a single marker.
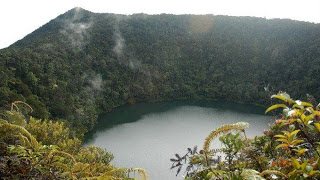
(288, 150)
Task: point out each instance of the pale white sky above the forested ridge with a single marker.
(20, 17)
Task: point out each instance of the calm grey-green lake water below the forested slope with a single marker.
(147, 135)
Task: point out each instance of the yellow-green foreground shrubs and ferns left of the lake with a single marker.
(35, 149)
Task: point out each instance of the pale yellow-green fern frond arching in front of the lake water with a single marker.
(240, 126)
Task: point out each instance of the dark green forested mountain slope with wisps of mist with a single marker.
(82, 63)
